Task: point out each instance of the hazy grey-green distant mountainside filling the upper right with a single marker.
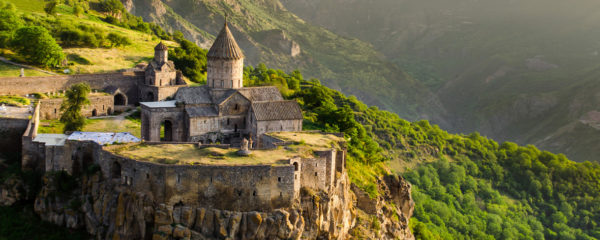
(513, 70)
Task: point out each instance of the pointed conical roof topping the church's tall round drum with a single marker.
(225, 46)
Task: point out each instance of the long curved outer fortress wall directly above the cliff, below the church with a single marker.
(236, 188)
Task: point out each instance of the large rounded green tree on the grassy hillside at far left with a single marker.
(37, 45)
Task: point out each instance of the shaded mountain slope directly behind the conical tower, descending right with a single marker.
(268, 33)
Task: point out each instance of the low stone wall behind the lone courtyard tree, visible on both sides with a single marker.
(50, 108)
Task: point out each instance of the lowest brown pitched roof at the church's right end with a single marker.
(277, 110)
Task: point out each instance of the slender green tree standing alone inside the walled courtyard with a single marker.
(71, 107)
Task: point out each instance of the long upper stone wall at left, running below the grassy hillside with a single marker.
(126, 81)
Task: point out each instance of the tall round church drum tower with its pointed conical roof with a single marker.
(225, 63)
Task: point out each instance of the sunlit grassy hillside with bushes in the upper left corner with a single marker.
(81, 31)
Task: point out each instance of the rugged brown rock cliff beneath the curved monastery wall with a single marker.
(107, 209)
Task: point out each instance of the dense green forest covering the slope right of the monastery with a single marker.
(468, 186)
